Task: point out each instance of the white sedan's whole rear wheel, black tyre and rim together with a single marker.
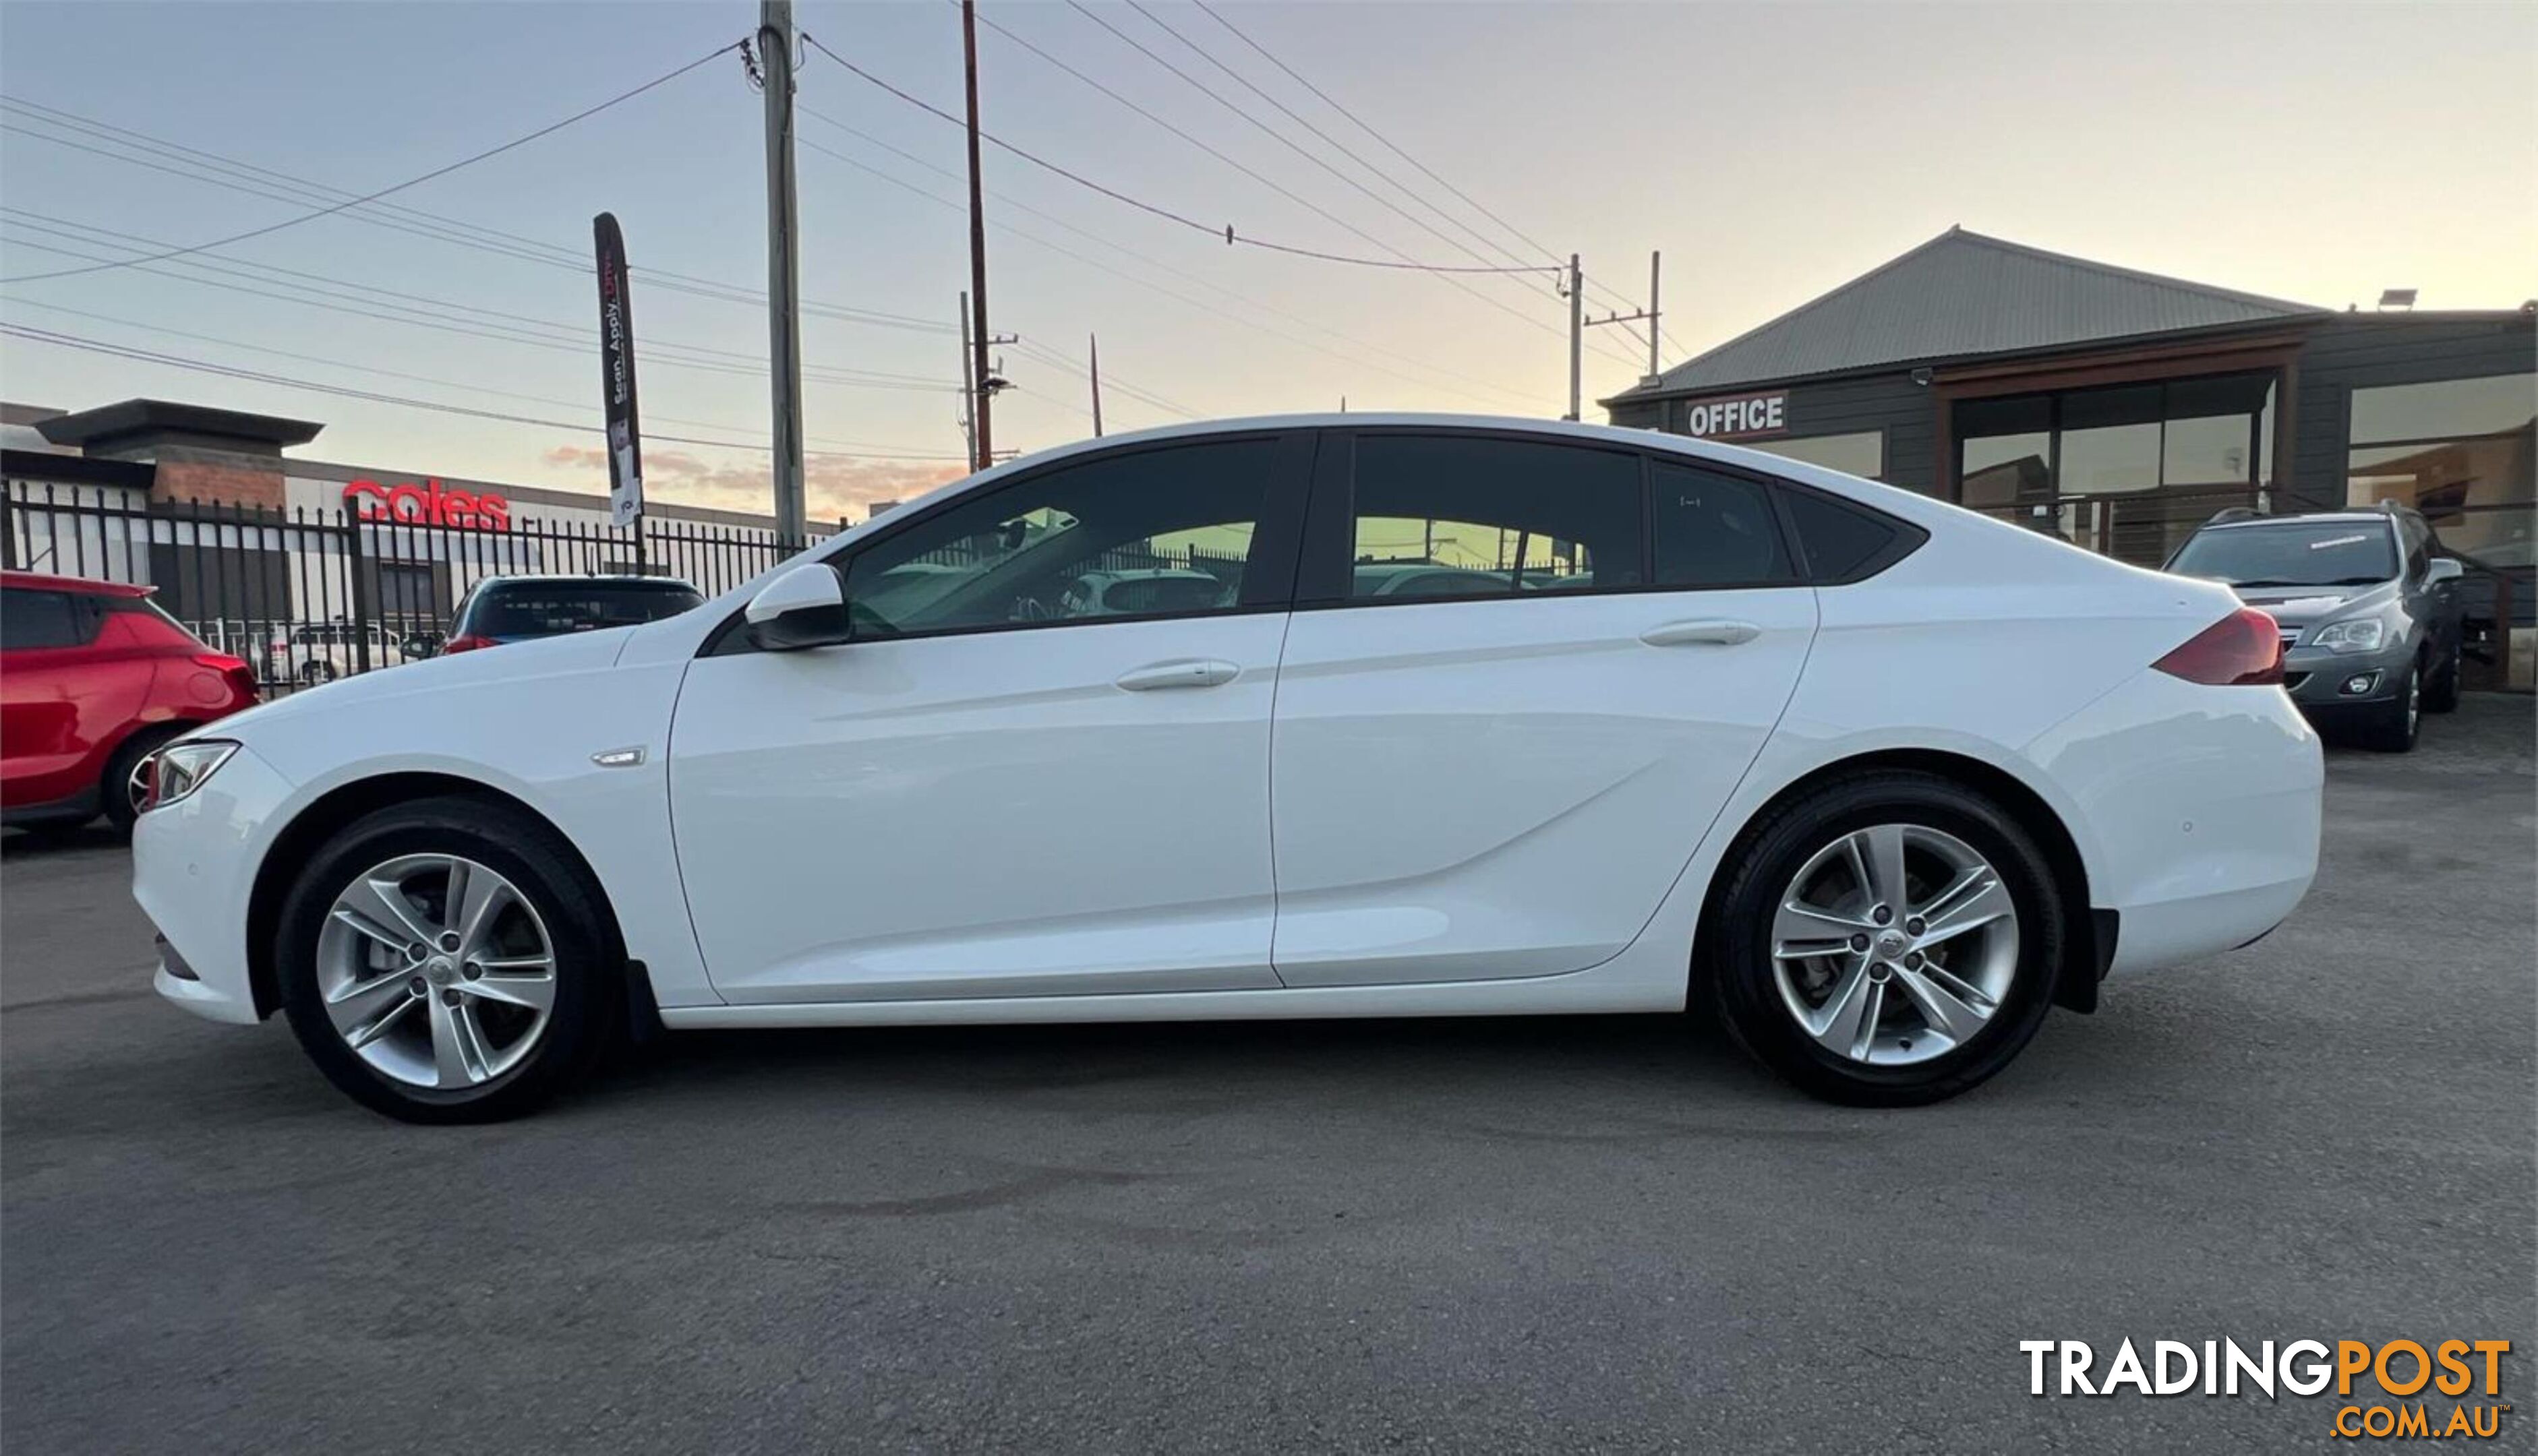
(1887, 940)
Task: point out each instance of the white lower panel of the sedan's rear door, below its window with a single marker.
(1478, 790)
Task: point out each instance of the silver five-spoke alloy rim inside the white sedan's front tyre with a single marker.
(438, 970)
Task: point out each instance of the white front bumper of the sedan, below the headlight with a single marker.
(194, 874)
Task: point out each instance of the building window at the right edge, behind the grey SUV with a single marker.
(2463, 455)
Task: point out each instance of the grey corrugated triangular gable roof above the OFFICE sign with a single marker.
(1966, 296)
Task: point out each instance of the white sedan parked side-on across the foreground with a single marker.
(1872, 777)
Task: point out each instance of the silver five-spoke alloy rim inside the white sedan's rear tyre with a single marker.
(1895, 945)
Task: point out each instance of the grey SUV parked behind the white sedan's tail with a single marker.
(2369, 610)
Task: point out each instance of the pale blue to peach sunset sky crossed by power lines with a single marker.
(1770, 151)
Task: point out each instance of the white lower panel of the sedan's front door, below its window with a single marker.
(981, 816)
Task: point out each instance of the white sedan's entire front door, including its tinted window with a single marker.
(1039, 767)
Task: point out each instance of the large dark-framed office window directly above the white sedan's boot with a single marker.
(2128, 471)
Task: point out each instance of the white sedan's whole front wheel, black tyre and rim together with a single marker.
(450, 960)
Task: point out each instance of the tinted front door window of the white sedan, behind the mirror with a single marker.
(1146, 534)
